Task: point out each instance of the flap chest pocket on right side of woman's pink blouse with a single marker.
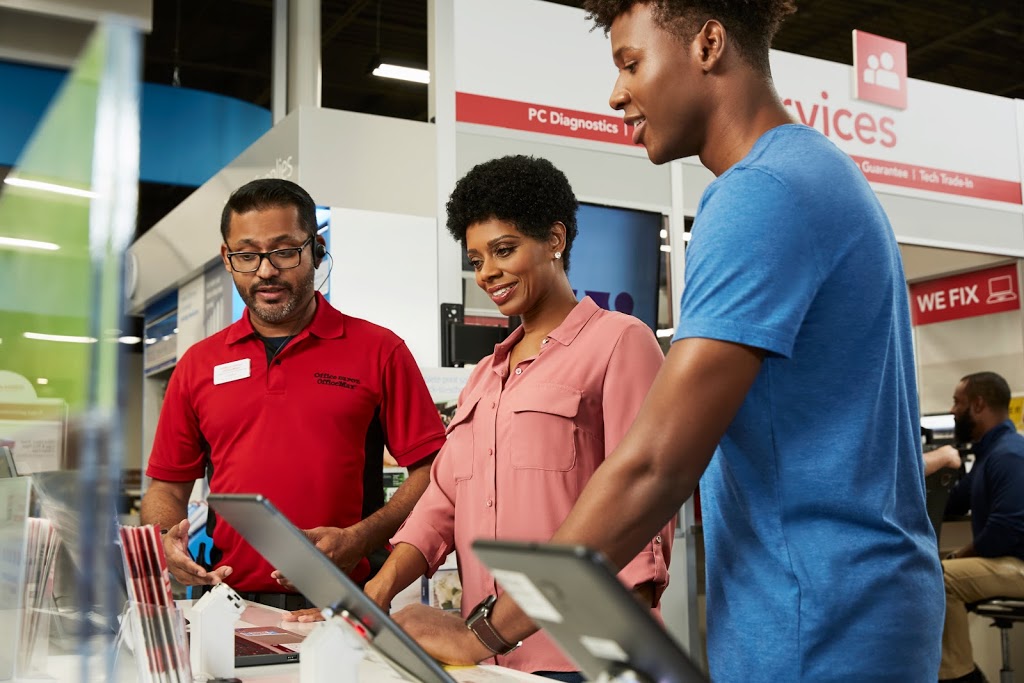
(544, 430)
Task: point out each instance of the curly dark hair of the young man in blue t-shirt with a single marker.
(753, 24)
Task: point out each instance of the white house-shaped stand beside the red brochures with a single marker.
(214, 619)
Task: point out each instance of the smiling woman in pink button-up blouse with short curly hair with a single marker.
(540, 415)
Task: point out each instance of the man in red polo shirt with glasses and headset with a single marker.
(296, 402)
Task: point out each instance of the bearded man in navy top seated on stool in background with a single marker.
(993, 565)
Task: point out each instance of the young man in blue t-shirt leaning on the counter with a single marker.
(790, 387)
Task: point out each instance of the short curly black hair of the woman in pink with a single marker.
(527, 192)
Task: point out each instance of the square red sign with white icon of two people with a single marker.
(880, 70)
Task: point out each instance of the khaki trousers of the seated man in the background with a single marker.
(969, 580)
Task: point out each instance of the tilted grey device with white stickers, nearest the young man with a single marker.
(573, 593)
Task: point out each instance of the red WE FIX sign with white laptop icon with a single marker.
(967, 295)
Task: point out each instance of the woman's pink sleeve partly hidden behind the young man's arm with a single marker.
(632, 369)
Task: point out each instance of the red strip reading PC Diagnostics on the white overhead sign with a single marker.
(541, 119)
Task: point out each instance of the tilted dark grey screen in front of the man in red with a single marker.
(322, 582)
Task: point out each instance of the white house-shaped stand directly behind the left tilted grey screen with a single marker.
(334, 650)
